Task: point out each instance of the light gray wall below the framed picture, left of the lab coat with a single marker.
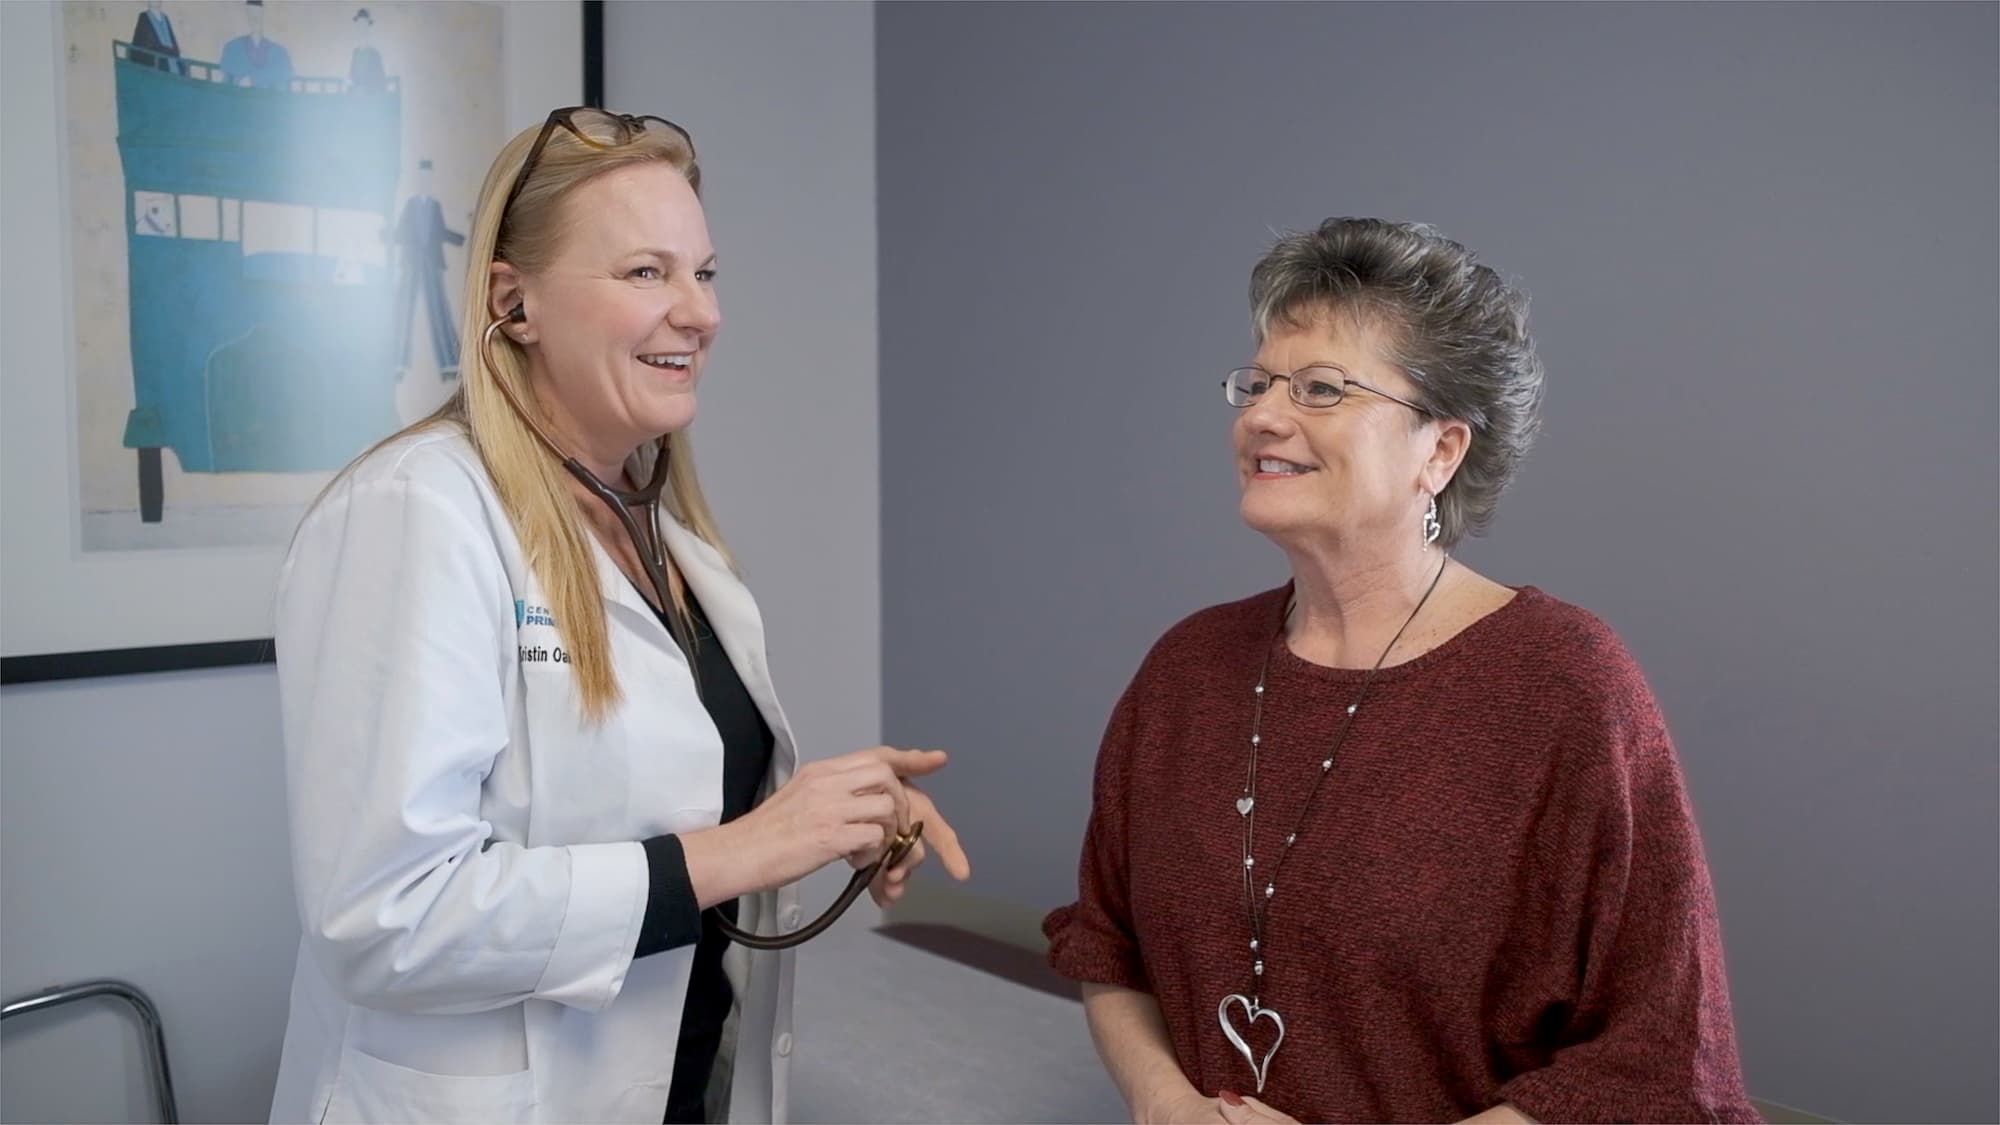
(143, 838)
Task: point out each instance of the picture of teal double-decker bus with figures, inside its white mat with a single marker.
(291, 239)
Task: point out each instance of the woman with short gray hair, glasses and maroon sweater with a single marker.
(1395, 842)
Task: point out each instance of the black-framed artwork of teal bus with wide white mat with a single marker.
(253, 221)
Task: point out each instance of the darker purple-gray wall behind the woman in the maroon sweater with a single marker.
(1763, 247)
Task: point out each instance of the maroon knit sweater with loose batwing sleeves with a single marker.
(1501, 894)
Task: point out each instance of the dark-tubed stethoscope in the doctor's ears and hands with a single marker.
(653, 557)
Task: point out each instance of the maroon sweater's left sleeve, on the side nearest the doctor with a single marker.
(1093, 940)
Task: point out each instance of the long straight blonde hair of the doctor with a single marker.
(533, 485)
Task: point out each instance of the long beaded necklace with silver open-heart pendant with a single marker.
(1257, 902)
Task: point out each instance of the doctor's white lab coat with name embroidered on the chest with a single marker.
(465, 848)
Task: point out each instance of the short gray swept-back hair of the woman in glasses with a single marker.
(1455, 327)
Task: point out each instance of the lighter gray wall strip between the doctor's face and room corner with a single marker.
(781, 103)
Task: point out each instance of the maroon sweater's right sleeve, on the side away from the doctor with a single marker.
(1649, 1036)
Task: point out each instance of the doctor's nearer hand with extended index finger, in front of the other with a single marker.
(833, 810)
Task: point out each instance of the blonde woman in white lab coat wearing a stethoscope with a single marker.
(535, 762)
